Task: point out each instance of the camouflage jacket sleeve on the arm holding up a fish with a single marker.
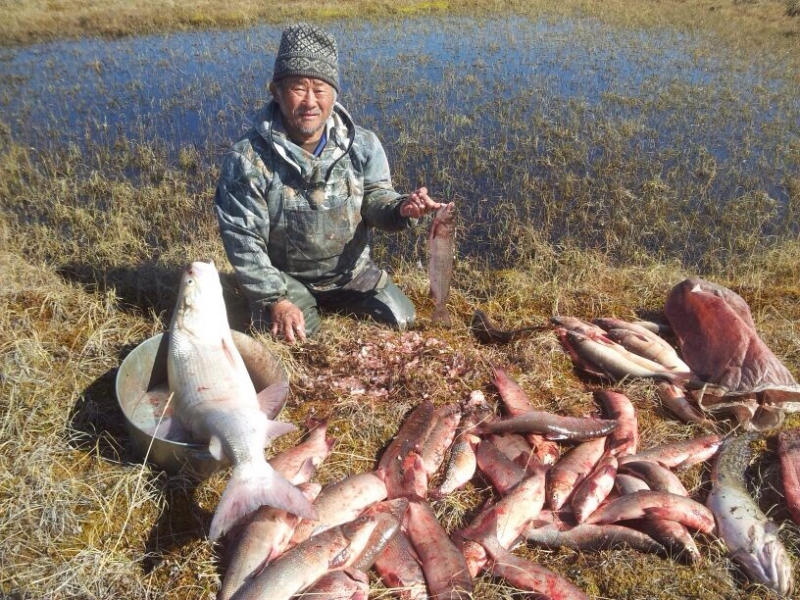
(381, 205)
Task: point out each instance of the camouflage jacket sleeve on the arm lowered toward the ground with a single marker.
(243, 218)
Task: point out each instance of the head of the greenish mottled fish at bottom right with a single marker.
(766, 560)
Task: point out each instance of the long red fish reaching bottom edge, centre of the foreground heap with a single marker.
(444, 566)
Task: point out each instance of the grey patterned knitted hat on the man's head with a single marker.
(307, 51)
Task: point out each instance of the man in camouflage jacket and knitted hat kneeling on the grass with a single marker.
(298, 194)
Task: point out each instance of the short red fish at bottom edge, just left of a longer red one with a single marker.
(399, 568)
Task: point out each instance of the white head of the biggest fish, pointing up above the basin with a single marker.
(200, 308)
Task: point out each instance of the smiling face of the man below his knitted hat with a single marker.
(306, 104)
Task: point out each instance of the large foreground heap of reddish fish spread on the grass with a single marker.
(599, 492)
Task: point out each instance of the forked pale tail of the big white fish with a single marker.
(251, 487)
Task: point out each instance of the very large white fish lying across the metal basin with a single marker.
(216, 401)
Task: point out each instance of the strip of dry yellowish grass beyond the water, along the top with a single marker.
(40, 20)
